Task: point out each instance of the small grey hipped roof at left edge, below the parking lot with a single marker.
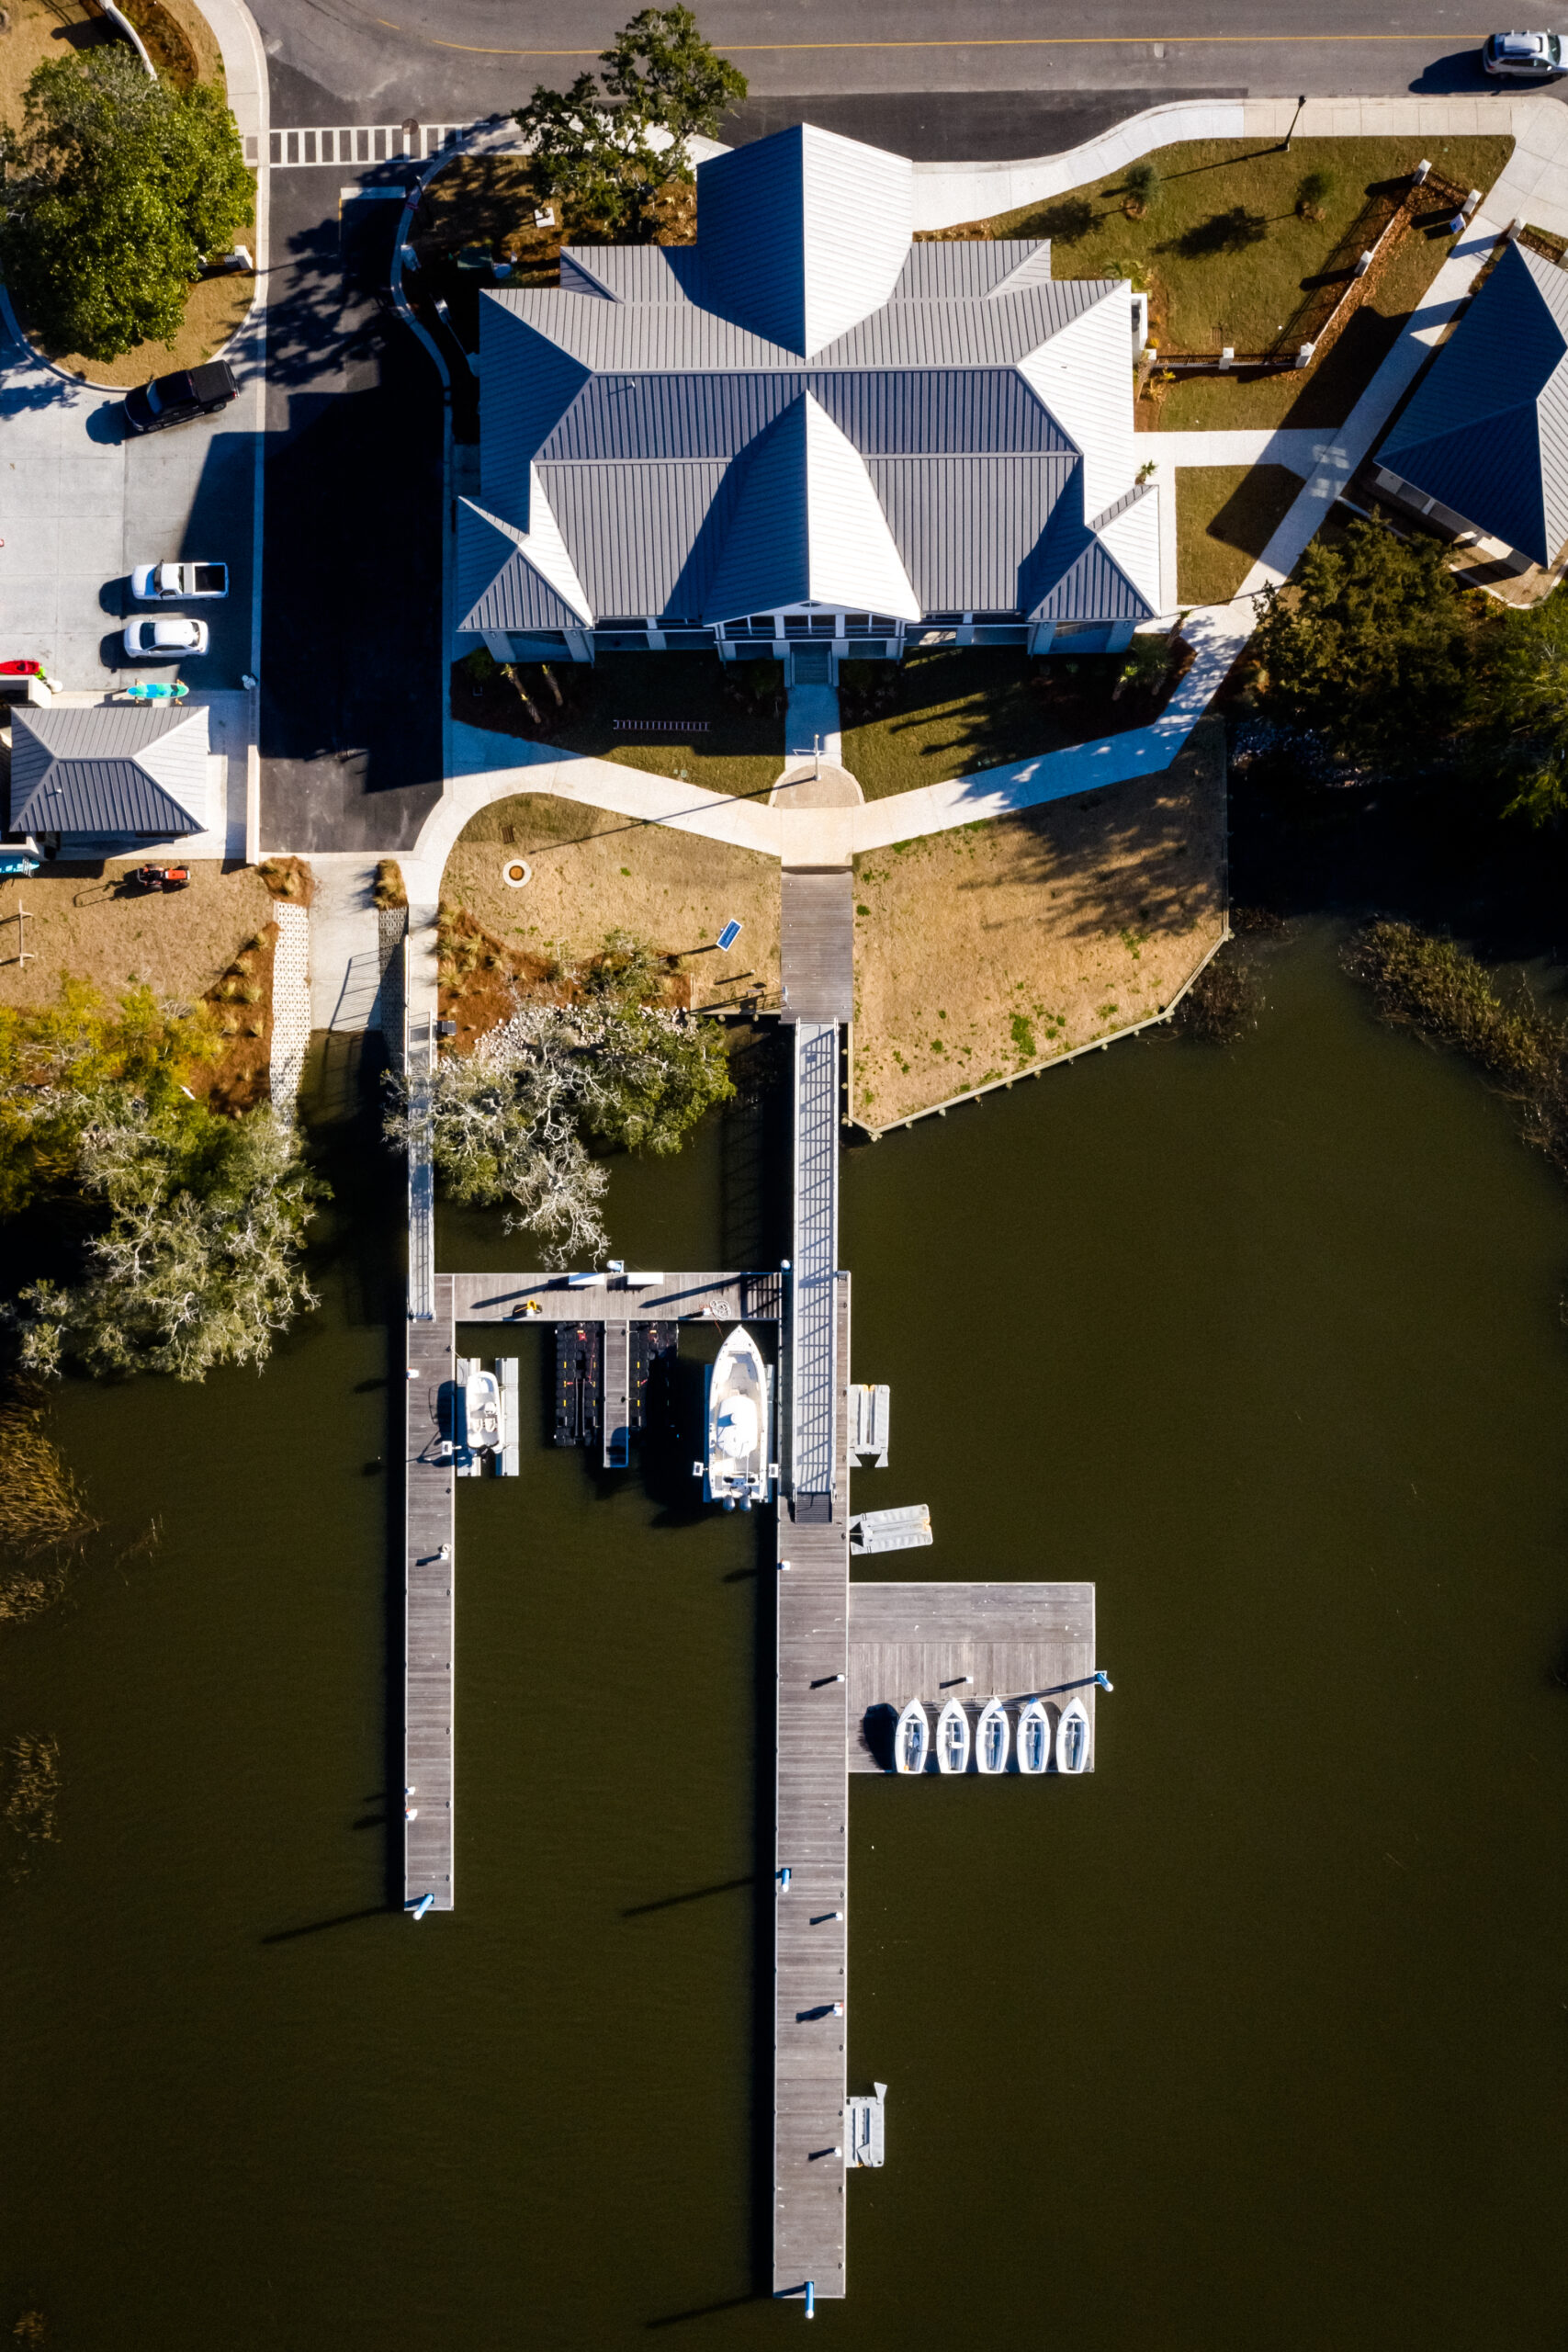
(109, 768)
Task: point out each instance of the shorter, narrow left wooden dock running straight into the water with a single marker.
(429, 1610)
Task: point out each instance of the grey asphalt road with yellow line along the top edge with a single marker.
(469, 58)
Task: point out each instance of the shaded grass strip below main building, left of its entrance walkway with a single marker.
(716, 726)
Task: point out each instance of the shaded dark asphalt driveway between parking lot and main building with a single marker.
(351, 608)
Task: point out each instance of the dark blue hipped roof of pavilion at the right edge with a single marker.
(1489, 427)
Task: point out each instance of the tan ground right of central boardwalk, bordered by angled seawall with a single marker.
(989, 951)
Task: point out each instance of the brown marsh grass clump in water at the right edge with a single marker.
(1445, 994)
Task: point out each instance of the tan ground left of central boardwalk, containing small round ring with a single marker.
(594, 874)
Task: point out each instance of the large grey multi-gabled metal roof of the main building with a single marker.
(652, 396)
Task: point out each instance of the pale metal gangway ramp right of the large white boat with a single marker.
(815, 1257)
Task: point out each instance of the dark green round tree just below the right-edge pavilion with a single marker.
(1369, 646)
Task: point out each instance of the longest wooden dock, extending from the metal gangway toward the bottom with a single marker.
(812, 1918)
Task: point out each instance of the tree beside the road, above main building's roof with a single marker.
(610, 147)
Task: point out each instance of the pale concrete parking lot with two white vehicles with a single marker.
(81, 505)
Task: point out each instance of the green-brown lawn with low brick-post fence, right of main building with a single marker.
(1228, 253)
